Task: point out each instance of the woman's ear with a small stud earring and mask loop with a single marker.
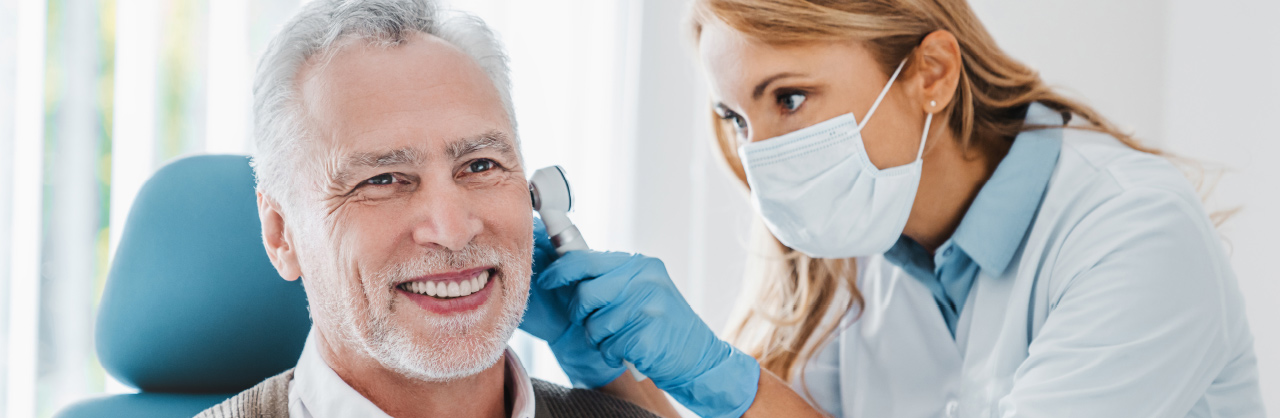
(936, 72)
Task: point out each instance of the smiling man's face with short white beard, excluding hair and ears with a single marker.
(415, 224)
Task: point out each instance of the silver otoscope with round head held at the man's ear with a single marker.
(554, 200)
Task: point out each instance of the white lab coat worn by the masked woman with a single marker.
(1121, 304)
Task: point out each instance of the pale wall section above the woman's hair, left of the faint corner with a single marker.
(1104, 52)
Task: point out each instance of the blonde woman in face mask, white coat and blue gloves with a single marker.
(950, 238)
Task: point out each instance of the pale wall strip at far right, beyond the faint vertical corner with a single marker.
(1223, 99)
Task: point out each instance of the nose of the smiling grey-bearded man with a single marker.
(446, 218)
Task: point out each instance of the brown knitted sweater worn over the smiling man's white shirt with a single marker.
(271, 399)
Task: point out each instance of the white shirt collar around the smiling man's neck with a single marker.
(317, 392)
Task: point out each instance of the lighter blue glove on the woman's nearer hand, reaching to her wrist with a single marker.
(634, 313)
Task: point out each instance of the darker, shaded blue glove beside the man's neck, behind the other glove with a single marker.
(548, 319)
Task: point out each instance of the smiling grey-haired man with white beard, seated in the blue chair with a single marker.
(391, 185)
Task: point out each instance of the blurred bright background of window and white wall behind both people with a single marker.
(95, 95)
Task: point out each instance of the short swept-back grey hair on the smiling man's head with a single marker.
(278, 114)
